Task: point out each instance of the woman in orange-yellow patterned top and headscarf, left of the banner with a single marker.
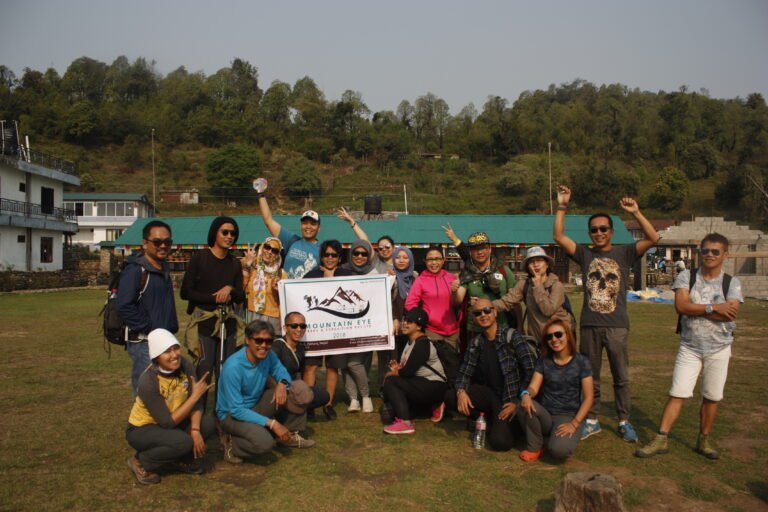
(261, 273)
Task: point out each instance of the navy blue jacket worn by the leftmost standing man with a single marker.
(157, 307)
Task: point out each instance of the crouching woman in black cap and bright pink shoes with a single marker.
(418, 380)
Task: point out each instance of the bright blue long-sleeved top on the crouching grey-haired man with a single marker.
(242, 384)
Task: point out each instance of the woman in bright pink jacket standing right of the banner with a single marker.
(432, 292)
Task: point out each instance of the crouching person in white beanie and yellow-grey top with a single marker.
(166, 425)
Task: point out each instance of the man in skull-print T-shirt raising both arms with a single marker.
(604, 319)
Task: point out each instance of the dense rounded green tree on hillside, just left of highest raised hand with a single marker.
(231, 169)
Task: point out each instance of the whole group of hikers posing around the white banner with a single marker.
(464, 344)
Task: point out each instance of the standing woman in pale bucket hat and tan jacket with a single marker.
(541, 291)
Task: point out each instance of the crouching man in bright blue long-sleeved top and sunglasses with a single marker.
(254, 416)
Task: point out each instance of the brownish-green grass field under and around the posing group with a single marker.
(65, 405)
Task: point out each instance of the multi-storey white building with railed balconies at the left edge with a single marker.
(33, 223)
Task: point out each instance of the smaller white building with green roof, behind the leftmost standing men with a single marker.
(104, 217)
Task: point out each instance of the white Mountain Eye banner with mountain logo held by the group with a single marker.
(344, 314)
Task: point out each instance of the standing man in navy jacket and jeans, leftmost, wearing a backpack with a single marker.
(145, 294)
